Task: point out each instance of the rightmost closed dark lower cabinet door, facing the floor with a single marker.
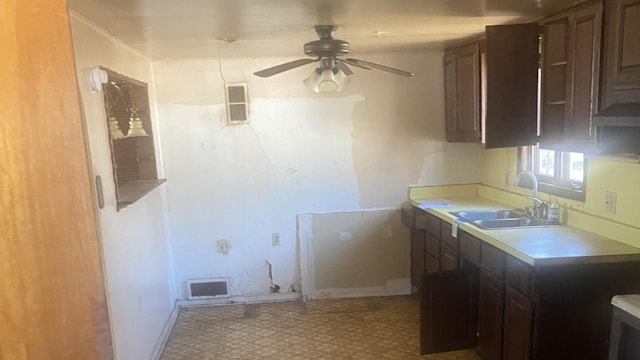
(518, 326)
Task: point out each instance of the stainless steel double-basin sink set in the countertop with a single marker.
(502, 219)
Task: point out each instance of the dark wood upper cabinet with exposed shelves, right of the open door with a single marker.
(570, 73)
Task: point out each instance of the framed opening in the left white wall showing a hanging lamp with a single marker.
(131, 138)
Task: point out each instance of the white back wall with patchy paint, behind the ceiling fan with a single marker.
(301, 153)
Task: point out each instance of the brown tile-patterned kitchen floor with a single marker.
(336, 329)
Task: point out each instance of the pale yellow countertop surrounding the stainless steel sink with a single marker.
(538, 246)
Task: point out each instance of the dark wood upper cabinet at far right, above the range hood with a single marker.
(622, 49)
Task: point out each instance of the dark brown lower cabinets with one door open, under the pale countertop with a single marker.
(510, 310)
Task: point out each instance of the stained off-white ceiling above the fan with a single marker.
(164, 29)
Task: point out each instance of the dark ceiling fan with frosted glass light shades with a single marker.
(332, 73)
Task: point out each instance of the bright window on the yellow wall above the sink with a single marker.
(559, 173)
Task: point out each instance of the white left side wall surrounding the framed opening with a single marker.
(137, 263)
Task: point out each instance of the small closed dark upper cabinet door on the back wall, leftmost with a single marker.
(463, 93)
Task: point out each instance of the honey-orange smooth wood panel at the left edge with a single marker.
(52, 286)
